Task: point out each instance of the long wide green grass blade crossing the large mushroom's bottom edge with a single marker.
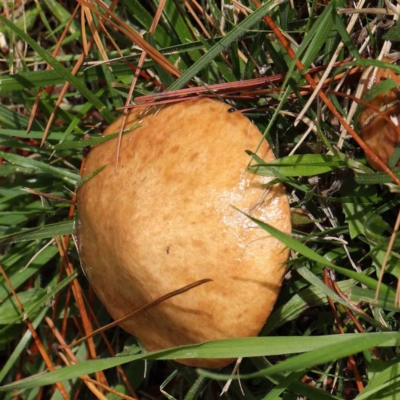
(232, 348)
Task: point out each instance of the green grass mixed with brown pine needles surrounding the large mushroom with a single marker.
(328, 336)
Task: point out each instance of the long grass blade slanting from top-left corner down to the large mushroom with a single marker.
(81, 87)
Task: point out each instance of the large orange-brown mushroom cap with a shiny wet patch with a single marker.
(168, 216)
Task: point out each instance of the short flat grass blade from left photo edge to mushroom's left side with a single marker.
(41, 232)
